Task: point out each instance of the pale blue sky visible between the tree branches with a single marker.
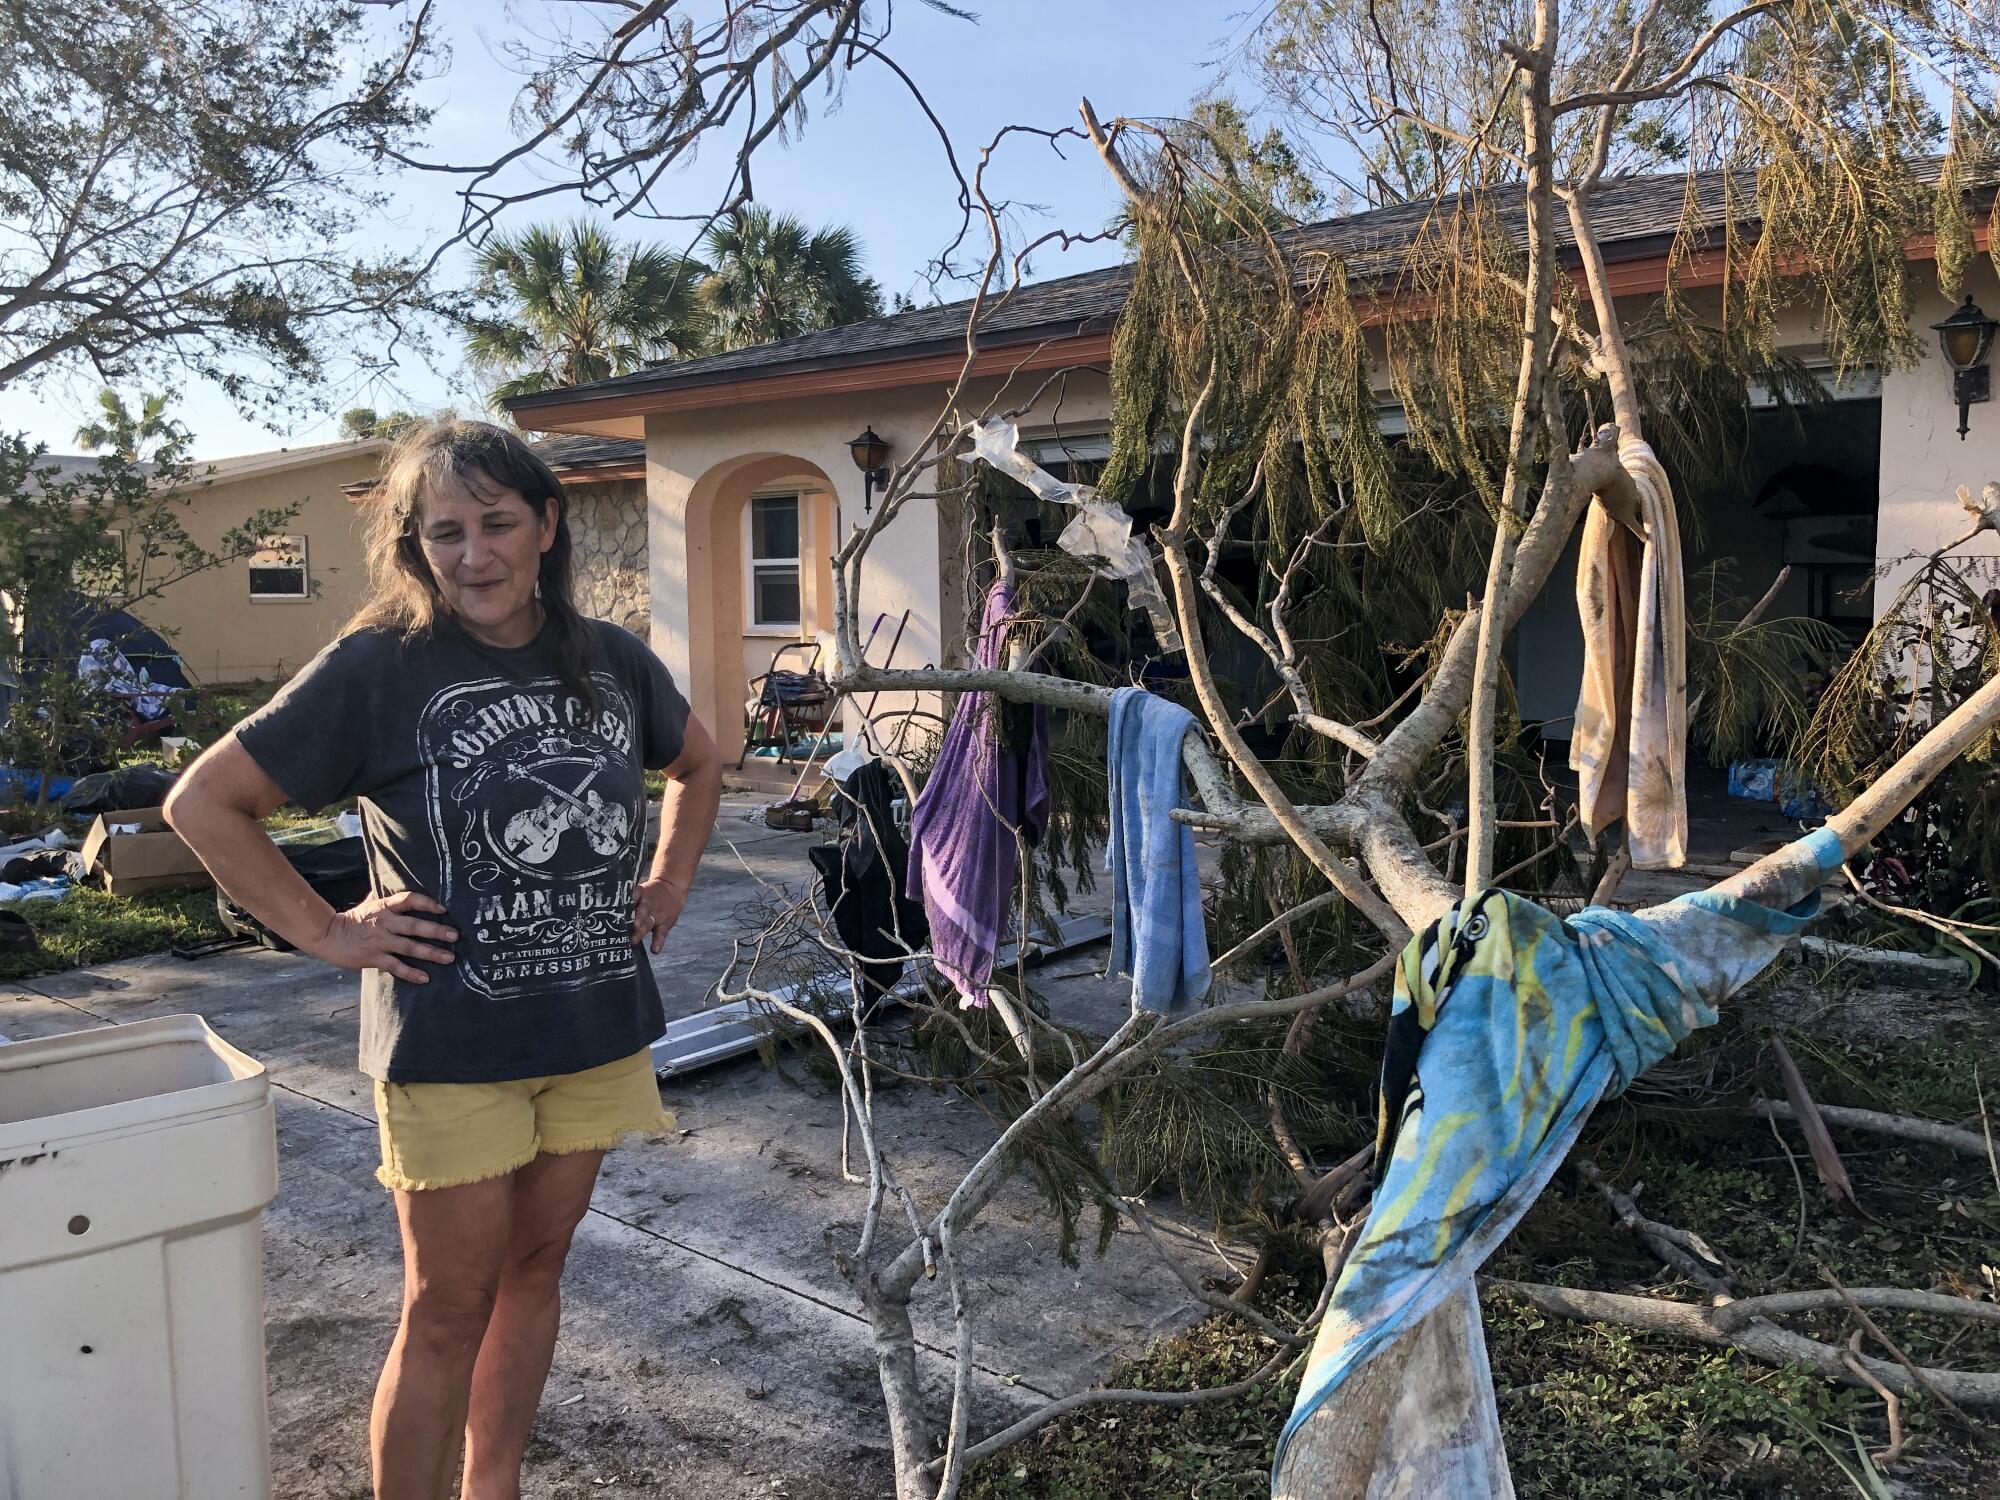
(871, 163)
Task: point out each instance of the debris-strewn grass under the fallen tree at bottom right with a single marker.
(1597, 1411)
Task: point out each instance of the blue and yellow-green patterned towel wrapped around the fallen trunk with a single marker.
(1507, 1029)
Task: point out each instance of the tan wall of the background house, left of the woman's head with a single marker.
(211, 619)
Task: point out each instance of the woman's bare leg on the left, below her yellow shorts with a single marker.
(453, 1255)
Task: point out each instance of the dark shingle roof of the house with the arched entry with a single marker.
(1635, 217)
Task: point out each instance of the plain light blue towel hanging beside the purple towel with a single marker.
(1157, 891)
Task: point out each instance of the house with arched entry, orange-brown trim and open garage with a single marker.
(751, 481)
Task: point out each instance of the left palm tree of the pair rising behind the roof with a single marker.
(577, 305)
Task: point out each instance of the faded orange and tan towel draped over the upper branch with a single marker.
(1631, 739)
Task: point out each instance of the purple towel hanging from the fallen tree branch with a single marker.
(963, 827)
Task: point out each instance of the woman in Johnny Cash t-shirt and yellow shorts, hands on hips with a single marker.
(497, 743)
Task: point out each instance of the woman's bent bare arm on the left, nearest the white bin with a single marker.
(219, 805)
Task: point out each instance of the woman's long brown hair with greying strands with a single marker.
(405, 597)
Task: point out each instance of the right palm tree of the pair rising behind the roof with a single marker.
(775, 279)
